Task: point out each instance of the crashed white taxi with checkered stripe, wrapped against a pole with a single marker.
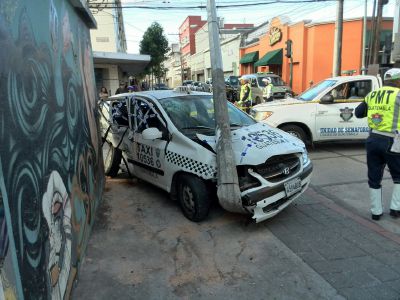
(168, 139)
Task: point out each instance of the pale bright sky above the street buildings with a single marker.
(137, 20)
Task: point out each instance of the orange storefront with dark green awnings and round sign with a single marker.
(312, 50)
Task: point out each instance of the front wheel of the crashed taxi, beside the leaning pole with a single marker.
(193, 197)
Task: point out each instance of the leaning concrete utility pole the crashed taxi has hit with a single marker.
(228, 184)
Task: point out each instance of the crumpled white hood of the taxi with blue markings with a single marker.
(254, 144)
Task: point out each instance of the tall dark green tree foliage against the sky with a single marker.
(155, 44)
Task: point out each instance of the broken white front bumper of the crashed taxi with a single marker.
(269, 199)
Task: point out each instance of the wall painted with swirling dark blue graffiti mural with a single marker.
(51, 173)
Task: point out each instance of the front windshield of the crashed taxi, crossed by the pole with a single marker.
(195, 113)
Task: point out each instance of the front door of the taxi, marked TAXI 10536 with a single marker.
(147, 155)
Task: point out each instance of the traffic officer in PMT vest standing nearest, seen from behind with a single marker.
(382, 107)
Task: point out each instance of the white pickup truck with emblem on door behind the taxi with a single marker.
(324, 112)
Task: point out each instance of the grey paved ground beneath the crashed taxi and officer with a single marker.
(323, 247)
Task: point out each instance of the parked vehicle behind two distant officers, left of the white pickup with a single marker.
(280, 90)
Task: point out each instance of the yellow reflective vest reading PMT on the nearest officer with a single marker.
(384, 109)
